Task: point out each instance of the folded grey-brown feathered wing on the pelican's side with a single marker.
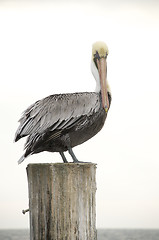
(58, 111)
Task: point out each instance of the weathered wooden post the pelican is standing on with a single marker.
(62, 201)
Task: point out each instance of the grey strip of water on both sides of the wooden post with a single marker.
(103, 234)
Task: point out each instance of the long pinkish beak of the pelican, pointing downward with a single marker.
(102, 69)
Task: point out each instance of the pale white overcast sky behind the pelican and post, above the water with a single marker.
(46, 49)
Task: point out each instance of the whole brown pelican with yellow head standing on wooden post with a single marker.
(60, 122)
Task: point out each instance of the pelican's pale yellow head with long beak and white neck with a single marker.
(99, 70)
